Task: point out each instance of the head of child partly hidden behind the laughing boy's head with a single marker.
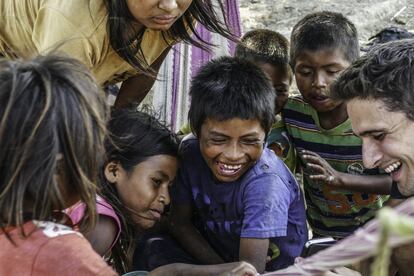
(270, 51)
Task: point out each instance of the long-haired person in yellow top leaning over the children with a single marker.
(119, 40)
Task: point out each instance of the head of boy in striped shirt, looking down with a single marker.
(323, 44)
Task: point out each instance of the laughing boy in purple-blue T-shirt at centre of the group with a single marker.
(233, 198)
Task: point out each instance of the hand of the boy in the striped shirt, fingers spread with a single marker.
(319, 169)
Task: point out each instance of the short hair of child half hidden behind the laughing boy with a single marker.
(265, 46)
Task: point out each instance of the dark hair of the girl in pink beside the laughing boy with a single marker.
(134, 136)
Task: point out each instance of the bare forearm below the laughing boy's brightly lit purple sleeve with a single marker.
(254, 251)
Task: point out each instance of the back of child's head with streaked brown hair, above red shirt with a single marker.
(52, 127)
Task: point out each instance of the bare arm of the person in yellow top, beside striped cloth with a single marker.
(134, 89)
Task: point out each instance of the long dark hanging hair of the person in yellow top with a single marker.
(119, 29)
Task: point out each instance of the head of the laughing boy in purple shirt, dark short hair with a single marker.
(231, 112)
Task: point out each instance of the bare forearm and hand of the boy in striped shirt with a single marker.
(319, 169)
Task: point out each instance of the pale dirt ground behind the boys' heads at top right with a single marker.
(370, 16)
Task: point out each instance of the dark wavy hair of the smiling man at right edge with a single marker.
(385, 73)
